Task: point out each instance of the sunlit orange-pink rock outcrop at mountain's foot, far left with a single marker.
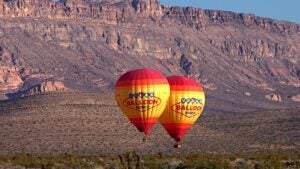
(22, 80)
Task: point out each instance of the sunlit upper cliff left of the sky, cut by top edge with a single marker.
(117, 10)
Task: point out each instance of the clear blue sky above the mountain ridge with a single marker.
(277, 9)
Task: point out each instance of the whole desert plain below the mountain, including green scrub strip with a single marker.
(47, 126)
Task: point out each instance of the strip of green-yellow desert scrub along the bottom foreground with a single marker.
(258, 160)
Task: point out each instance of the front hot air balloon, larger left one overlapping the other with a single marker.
(142, 95)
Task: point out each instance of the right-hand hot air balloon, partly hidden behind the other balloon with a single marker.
(185, 105)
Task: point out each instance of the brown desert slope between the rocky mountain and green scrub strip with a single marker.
(89, 123)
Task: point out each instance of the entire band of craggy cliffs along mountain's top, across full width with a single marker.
(93, 9)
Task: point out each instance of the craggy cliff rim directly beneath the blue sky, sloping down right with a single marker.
(199, 18)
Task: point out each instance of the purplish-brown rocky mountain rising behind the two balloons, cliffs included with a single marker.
(244, 62)
